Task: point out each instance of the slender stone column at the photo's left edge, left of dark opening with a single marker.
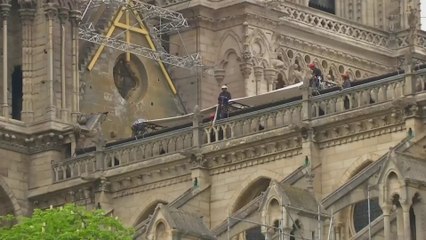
(4, 12)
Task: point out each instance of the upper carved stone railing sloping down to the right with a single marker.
(337, 27)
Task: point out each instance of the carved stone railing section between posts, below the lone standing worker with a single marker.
(250, 123)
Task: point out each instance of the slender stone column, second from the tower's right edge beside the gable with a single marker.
(63, 16)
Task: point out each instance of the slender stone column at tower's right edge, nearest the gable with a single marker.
(75, 105)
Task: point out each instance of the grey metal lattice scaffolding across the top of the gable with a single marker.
(166, 21)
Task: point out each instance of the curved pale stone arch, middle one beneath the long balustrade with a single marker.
(248, 183)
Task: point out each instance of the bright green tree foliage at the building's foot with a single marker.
(66, 223)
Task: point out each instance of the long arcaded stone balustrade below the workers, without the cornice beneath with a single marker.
(241, 125)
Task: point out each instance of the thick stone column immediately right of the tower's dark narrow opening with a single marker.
(27, 17)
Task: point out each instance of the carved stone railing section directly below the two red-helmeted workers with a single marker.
(358, 96)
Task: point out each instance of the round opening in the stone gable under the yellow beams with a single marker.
(130, 77)
